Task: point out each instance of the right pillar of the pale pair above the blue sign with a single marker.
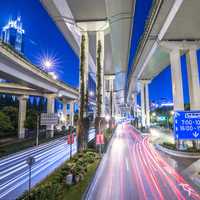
(193, 79)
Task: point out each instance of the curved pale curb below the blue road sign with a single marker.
(177, 153)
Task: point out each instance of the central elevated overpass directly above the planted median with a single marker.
(107, 20)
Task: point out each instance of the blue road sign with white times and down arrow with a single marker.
(187, 125)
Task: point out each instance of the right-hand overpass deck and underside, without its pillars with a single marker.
(169, 21)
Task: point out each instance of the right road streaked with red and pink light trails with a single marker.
(133, 169)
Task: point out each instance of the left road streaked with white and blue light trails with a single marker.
(14, 170)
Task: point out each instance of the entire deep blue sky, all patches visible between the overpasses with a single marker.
(43, 37)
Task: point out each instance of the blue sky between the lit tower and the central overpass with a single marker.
(42, 37)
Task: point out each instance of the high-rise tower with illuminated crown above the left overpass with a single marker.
(13, 34)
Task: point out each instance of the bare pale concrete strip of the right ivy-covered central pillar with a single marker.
(100, 37)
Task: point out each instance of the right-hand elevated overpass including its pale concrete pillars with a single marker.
(172, 30)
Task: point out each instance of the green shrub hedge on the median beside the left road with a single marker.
(52, 187)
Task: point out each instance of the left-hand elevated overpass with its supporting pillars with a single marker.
(31, 81)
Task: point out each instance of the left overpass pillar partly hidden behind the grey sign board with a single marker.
(50, 109)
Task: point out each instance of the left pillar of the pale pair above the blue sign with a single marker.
(177, 87)
